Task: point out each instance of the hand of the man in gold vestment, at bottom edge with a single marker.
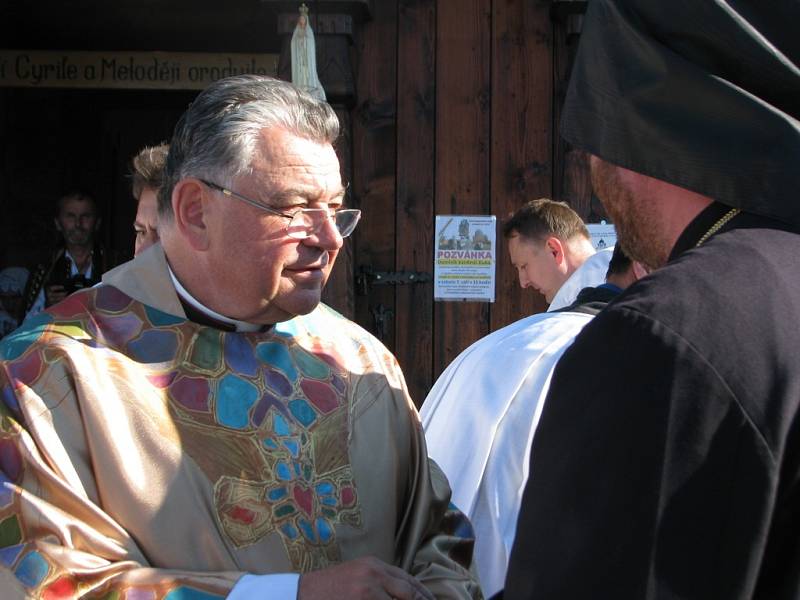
(361, 579)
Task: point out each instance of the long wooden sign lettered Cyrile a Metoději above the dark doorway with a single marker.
(130, 70)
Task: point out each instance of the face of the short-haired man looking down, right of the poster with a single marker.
(536, 266)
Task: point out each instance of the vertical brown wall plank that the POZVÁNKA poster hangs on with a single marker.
(463, 129)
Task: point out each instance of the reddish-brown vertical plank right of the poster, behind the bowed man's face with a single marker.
(522, 105)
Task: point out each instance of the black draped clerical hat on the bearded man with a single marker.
(704, 94)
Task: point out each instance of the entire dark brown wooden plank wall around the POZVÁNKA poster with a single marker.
(455, 115)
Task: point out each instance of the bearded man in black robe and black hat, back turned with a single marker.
(667, 461)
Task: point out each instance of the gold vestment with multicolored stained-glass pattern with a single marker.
(143, 455)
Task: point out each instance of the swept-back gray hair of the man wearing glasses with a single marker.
(217, 135)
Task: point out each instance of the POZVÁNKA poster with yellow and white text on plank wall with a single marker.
(465, 258)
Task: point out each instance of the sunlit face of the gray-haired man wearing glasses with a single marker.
(270, 277)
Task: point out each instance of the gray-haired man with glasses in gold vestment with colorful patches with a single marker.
(200, 426)
